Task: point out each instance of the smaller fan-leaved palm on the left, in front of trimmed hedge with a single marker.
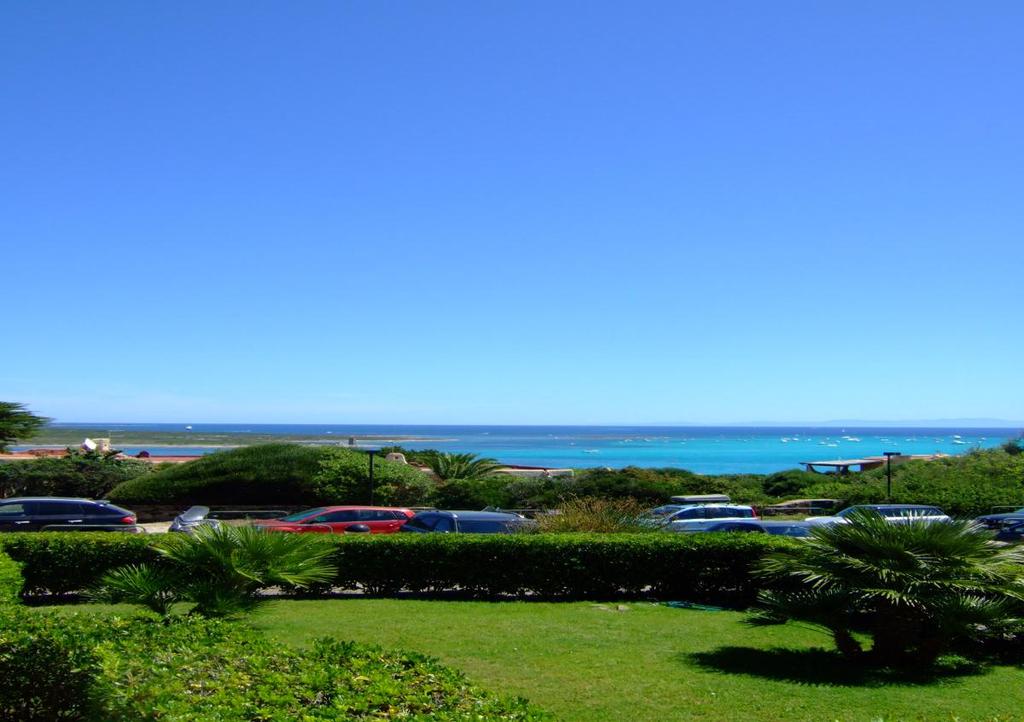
(220, 571)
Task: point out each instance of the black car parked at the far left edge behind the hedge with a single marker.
(45, 514)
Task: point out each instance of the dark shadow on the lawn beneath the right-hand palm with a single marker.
(821, 667)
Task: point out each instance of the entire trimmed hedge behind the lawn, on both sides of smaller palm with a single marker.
(714, 569)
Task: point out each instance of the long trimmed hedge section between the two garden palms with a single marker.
(716, 569)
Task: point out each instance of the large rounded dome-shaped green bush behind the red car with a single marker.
(279, 474)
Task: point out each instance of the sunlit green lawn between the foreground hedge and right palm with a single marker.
(642, 662)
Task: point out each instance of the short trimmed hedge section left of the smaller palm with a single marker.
(61, 563)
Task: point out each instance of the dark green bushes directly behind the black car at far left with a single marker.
(90, 475)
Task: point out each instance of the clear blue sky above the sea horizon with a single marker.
(513, 213)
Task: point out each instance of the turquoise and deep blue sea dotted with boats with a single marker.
(701, 449)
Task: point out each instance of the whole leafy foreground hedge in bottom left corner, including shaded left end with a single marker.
(116, 670)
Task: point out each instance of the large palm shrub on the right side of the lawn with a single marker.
(918, 590)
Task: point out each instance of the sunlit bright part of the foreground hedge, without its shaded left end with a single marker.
(193, 671)
